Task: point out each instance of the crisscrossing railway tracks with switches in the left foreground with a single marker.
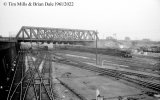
(33, 84)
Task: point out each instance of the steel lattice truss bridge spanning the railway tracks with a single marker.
(55, 35)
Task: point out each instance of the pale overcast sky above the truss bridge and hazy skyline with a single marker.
(134, 18)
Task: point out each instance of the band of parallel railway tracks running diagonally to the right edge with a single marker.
(113, 73)
